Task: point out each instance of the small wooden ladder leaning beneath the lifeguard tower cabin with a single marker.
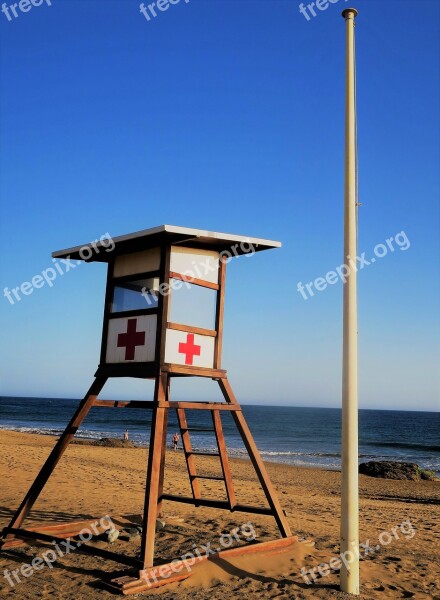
(190, 454)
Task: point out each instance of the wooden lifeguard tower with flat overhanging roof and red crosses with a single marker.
(156, 277)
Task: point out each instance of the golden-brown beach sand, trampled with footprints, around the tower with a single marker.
(399, 519)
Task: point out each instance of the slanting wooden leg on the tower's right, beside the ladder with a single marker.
(255, 457)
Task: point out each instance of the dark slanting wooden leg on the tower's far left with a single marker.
(56, 454)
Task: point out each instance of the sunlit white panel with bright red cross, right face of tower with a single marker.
(191, 349)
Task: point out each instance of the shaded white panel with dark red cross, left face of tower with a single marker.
(131, 339)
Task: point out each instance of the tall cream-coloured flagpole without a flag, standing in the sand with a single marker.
(349, 574)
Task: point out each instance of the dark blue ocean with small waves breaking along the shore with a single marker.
(292, 435)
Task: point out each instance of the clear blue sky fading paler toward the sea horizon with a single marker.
(225, 115)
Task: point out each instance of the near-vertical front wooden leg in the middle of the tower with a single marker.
(154, 469)
